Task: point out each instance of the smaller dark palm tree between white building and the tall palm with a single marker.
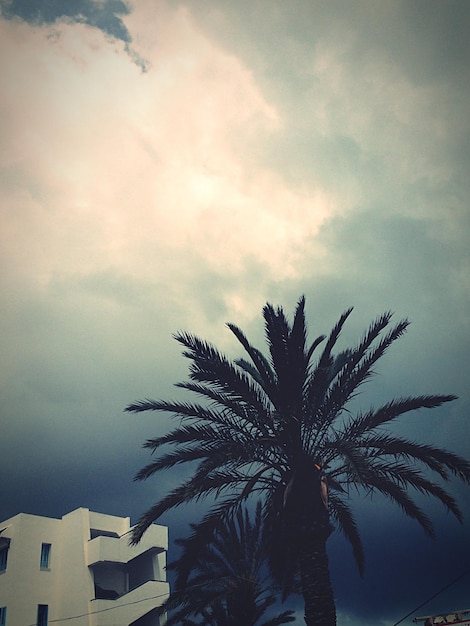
(228, 584)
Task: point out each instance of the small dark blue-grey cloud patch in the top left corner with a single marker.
(102, 14)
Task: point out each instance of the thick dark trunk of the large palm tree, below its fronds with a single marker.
(316, 584)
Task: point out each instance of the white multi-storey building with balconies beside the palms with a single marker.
(80, 570)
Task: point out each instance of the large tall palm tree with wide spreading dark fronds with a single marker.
(283, 428)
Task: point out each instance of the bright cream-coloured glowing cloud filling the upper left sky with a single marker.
(134, 172)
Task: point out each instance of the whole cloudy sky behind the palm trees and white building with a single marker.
(170, 165)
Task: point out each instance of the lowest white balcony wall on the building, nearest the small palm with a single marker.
(130, 606)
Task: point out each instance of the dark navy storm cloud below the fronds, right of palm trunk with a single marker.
(404, 567)
